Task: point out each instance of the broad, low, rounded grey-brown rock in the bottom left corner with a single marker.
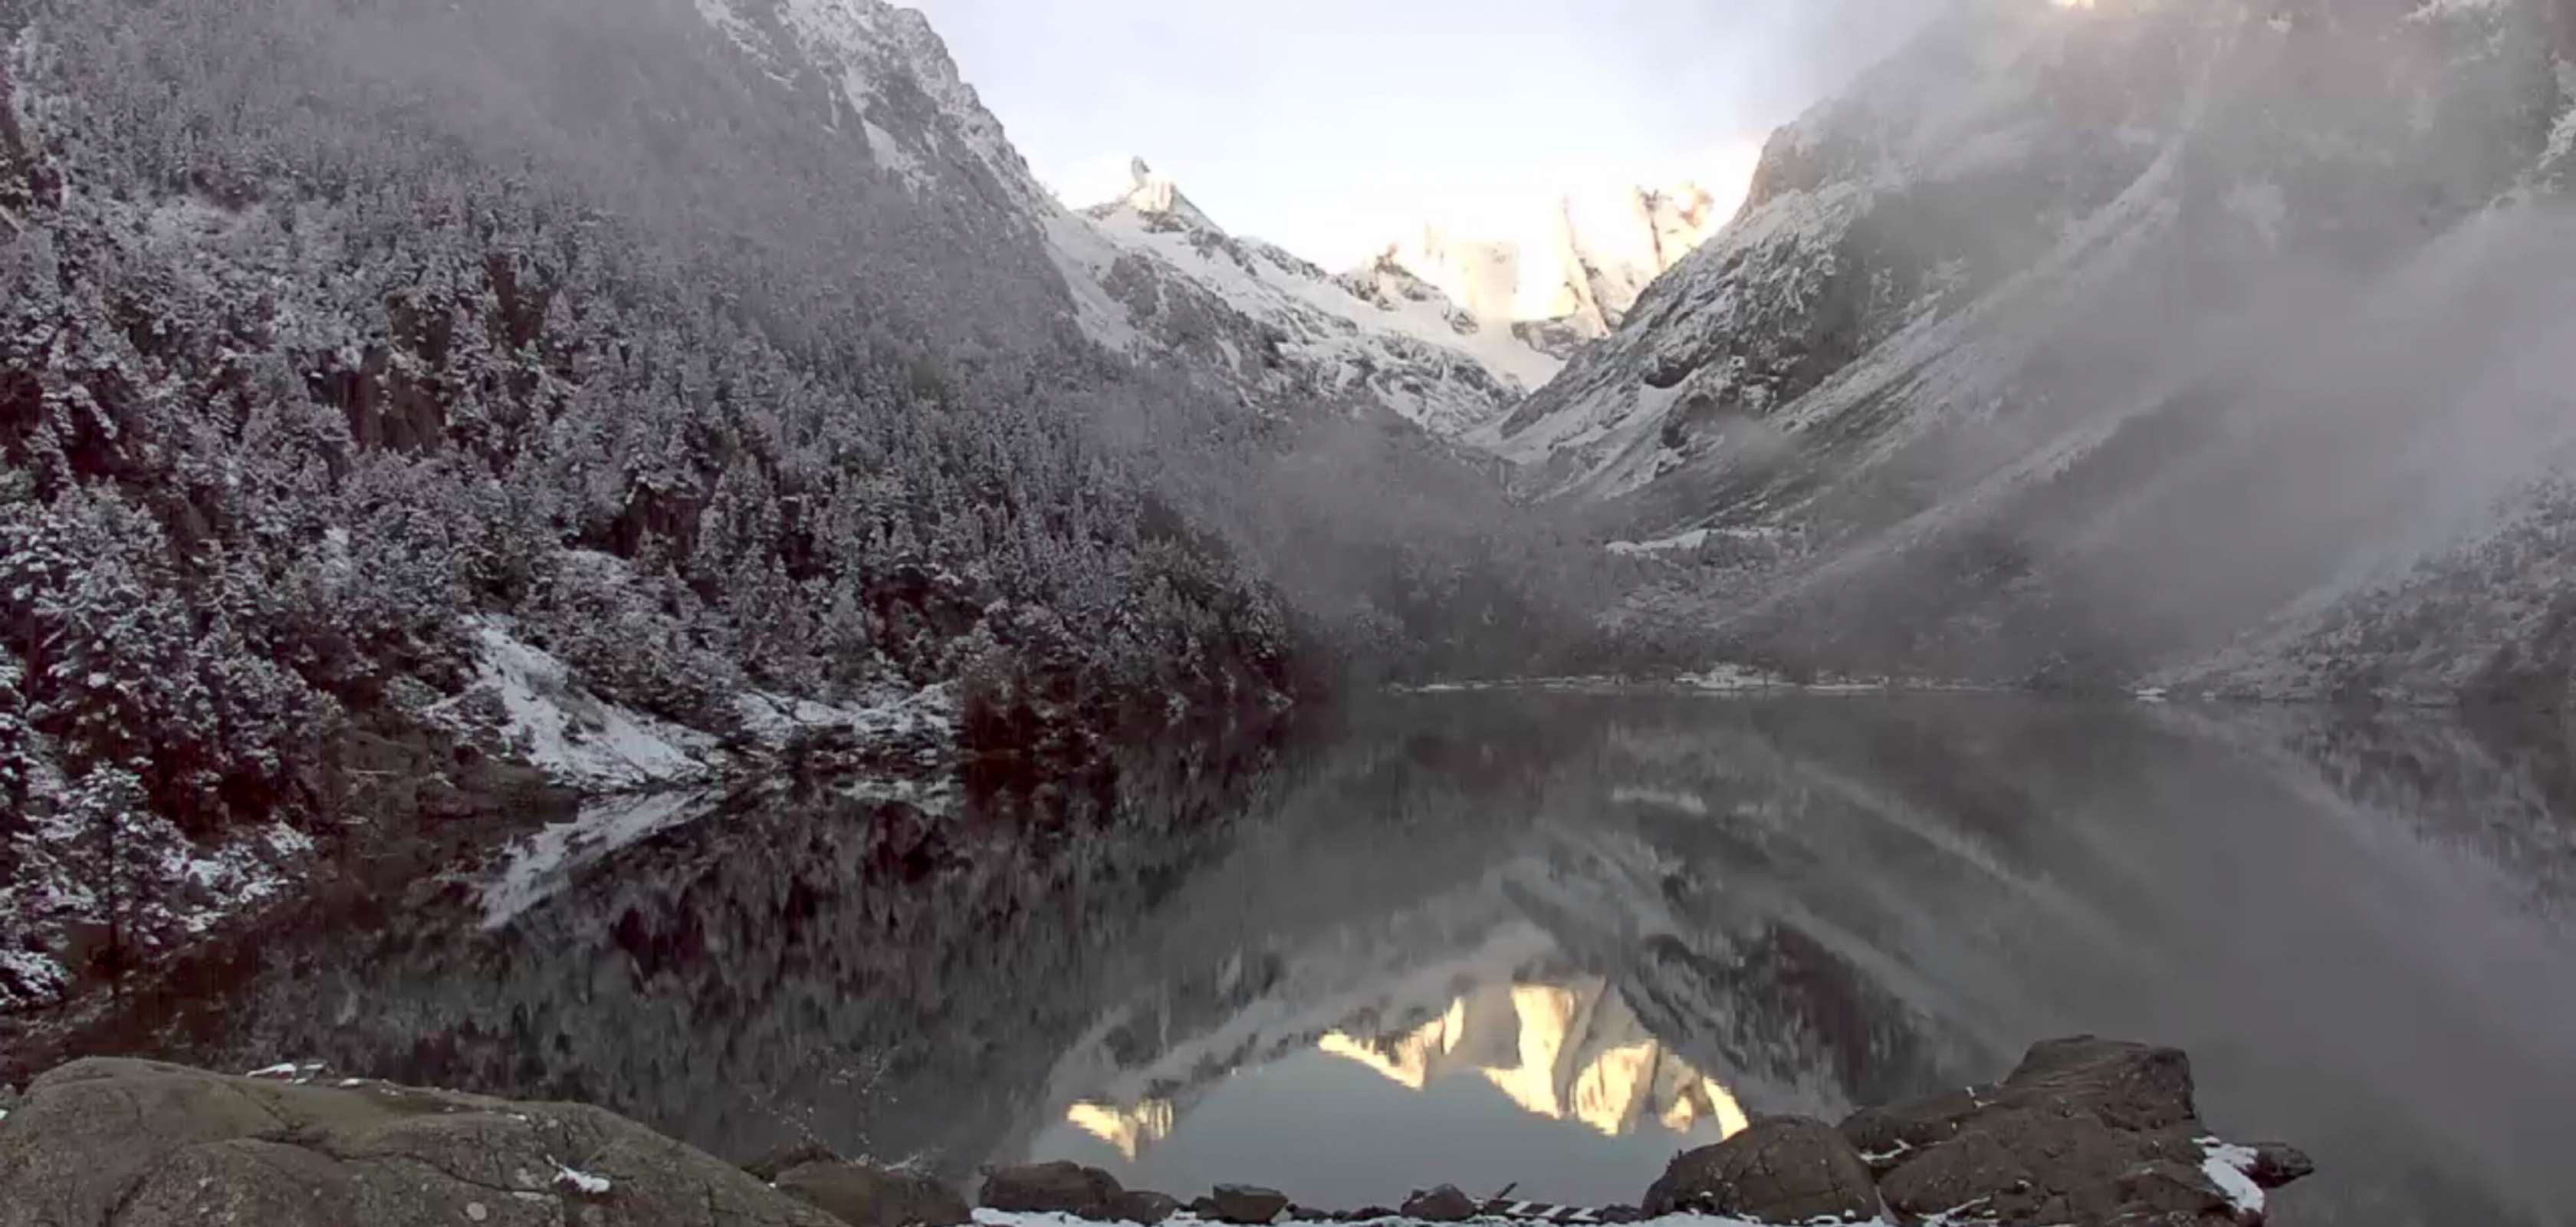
(161, 1146)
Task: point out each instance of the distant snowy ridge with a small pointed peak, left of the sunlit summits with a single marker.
(1284, 331)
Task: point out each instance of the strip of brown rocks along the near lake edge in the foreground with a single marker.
(2080, 1133)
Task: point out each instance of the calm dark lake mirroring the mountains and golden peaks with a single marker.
(1534, 940)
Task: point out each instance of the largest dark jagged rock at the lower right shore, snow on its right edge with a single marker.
(2085, 1133)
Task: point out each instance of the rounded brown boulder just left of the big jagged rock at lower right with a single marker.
(1781, 1169)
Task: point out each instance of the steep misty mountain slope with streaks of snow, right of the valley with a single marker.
(2088, 339)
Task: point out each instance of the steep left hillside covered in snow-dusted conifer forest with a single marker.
(406, 396)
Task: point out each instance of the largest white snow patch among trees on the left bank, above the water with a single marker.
(565, 731)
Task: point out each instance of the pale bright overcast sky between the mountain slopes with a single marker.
(1336, 128)
